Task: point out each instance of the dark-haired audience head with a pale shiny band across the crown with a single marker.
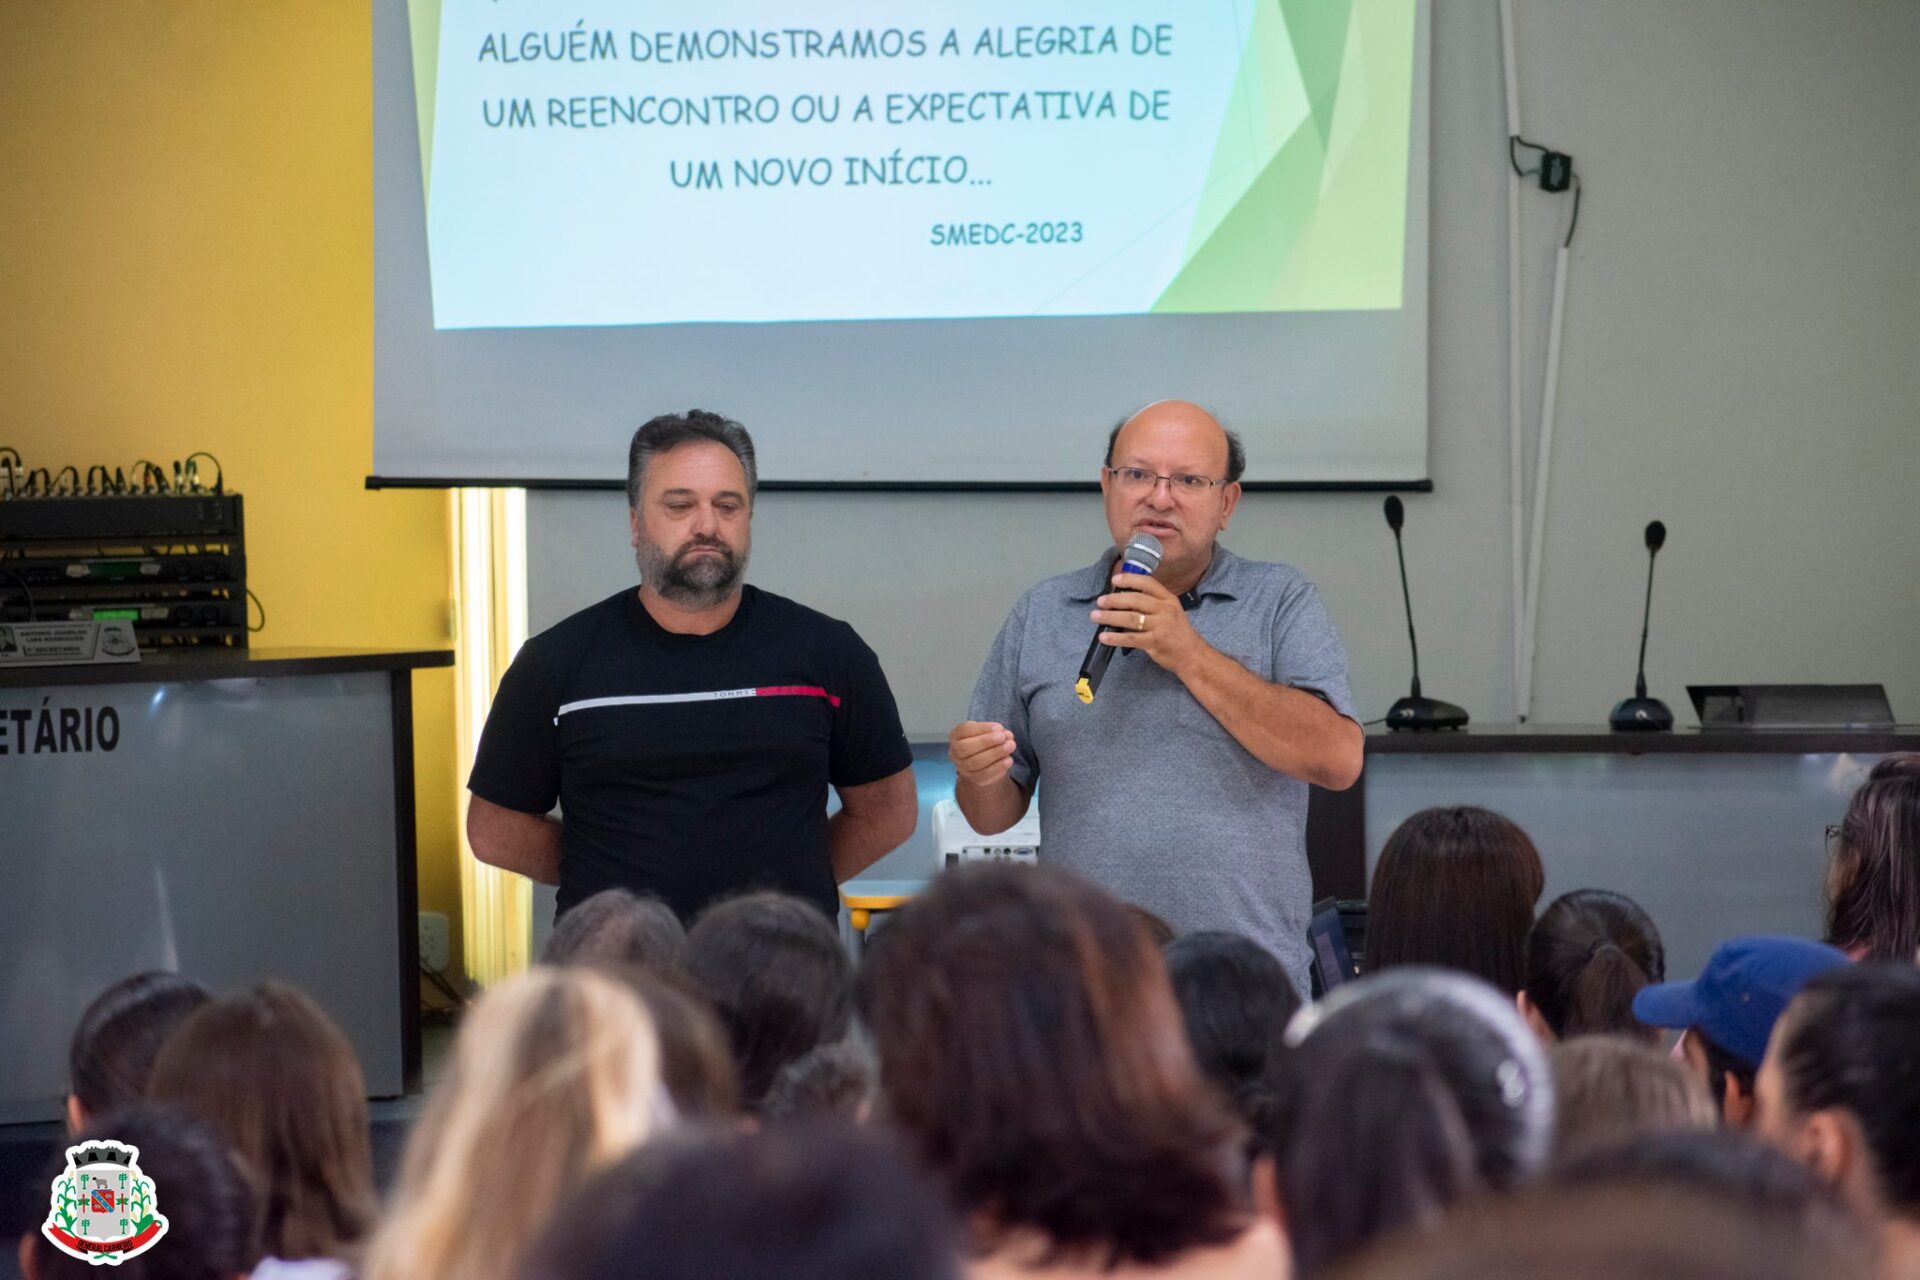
(1397, 1099)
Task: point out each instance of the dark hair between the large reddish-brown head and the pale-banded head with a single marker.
(1236, 1001)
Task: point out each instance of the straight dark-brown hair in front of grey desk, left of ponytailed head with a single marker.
(1456, 888)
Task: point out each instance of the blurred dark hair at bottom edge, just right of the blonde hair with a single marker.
(805, 1202)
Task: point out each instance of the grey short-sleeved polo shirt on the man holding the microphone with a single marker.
(1143, 790)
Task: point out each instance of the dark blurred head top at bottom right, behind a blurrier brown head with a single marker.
(1739, 1173)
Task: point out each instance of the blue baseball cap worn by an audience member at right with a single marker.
(1742, 991)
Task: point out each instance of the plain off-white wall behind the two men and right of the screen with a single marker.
(1742, 362)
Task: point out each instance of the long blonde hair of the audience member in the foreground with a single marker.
(554, 1076)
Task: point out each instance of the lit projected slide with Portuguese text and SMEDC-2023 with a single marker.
(744, 162)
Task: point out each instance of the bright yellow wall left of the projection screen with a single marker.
(187, 264)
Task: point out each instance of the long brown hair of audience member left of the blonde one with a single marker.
(279, 1081)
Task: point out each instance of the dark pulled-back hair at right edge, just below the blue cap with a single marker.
(1852, 1043)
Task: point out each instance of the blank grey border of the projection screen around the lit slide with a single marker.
(969, 392)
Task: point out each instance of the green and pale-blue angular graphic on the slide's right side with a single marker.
(1307, 202)
